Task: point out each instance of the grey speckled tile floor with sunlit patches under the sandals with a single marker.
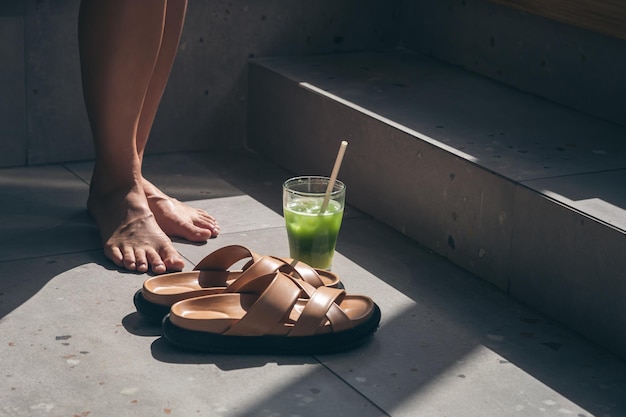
(449, 344)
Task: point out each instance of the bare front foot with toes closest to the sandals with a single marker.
(130, 232)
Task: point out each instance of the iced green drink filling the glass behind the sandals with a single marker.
(312, 237)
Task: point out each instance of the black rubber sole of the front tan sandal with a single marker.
(282, 345)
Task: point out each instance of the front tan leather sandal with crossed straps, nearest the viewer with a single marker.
(273, 313)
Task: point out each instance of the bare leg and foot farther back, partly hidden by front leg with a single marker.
(175, 218)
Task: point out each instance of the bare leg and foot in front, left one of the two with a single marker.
(119, 43)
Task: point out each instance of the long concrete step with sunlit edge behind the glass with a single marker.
(527, 194)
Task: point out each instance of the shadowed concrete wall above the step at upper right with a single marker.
(571, 66)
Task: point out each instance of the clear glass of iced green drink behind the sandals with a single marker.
(312, 234)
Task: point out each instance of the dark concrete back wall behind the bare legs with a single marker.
(42, 118)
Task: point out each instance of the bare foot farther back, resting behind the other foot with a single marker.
(177, 219)
